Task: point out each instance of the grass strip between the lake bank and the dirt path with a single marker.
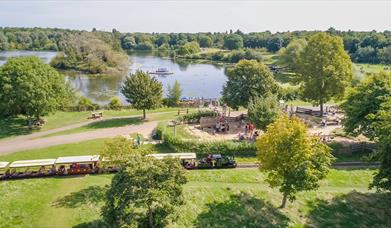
(10, 127)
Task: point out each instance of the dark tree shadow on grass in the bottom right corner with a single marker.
(354, 209)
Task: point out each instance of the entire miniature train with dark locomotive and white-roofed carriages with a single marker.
(91, 164)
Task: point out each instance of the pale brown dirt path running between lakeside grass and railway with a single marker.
(32, 142)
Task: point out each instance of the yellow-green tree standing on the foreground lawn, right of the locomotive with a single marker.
(293, 160)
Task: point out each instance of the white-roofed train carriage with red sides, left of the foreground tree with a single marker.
(77, 164)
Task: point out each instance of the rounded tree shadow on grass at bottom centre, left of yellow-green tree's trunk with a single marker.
(242, 210)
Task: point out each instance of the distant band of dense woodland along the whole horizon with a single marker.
(363, 47)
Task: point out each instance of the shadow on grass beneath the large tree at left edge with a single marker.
(13, 127)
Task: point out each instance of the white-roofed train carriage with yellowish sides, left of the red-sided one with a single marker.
(30, 168)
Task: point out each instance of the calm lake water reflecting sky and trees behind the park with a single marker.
(196, 79)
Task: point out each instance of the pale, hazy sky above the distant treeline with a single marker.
(199, 16)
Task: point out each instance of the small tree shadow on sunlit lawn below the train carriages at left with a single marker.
(92, 195)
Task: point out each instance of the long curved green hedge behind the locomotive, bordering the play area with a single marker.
(202, 148)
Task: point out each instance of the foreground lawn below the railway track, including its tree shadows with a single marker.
(213, 198)
